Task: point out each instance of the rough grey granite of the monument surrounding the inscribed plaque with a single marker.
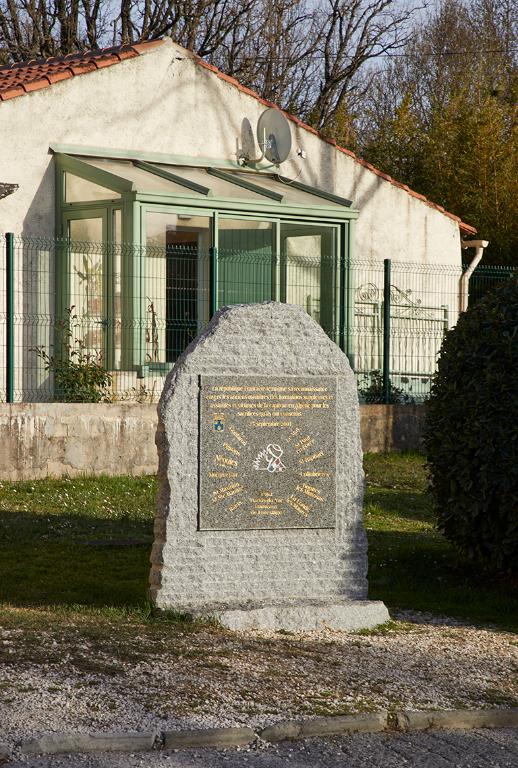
(210, 571)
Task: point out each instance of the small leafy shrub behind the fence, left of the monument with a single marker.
(79, 375)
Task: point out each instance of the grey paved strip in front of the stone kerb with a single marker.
(438, 749)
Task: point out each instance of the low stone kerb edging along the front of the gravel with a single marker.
(375, 722)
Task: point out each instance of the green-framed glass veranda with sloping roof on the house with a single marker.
(221, 193)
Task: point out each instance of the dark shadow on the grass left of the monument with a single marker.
(69, 560)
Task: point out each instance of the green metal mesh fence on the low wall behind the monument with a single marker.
(107, 322)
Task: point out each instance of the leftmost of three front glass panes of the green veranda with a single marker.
(176, 283)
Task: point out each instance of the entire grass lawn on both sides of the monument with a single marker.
(86, 542)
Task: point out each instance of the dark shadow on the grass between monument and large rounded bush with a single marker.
(421, 571)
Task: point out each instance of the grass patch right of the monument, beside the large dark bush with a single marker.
(411, 565)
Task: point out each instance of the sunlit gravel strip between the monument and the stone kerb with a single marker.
(69, 678)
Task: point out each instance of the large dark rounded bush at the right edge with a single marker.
(472, 432)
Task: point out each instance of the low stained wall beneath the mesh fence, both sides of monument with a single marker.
(56, 439)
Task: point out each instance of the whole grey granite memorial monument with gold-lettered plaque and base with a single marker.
(259, 518)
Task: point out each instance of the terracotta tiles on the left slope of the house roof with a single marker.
(27, 76)
